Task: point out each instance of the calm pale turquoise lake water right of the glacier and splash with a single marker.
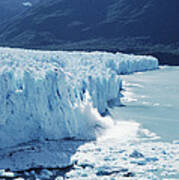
(152, 99)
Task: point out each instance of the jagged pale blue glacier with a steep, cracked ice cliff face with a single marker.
(56, 94)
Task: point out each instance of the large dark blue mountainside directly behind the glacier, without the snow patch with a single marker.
(142, 26)
